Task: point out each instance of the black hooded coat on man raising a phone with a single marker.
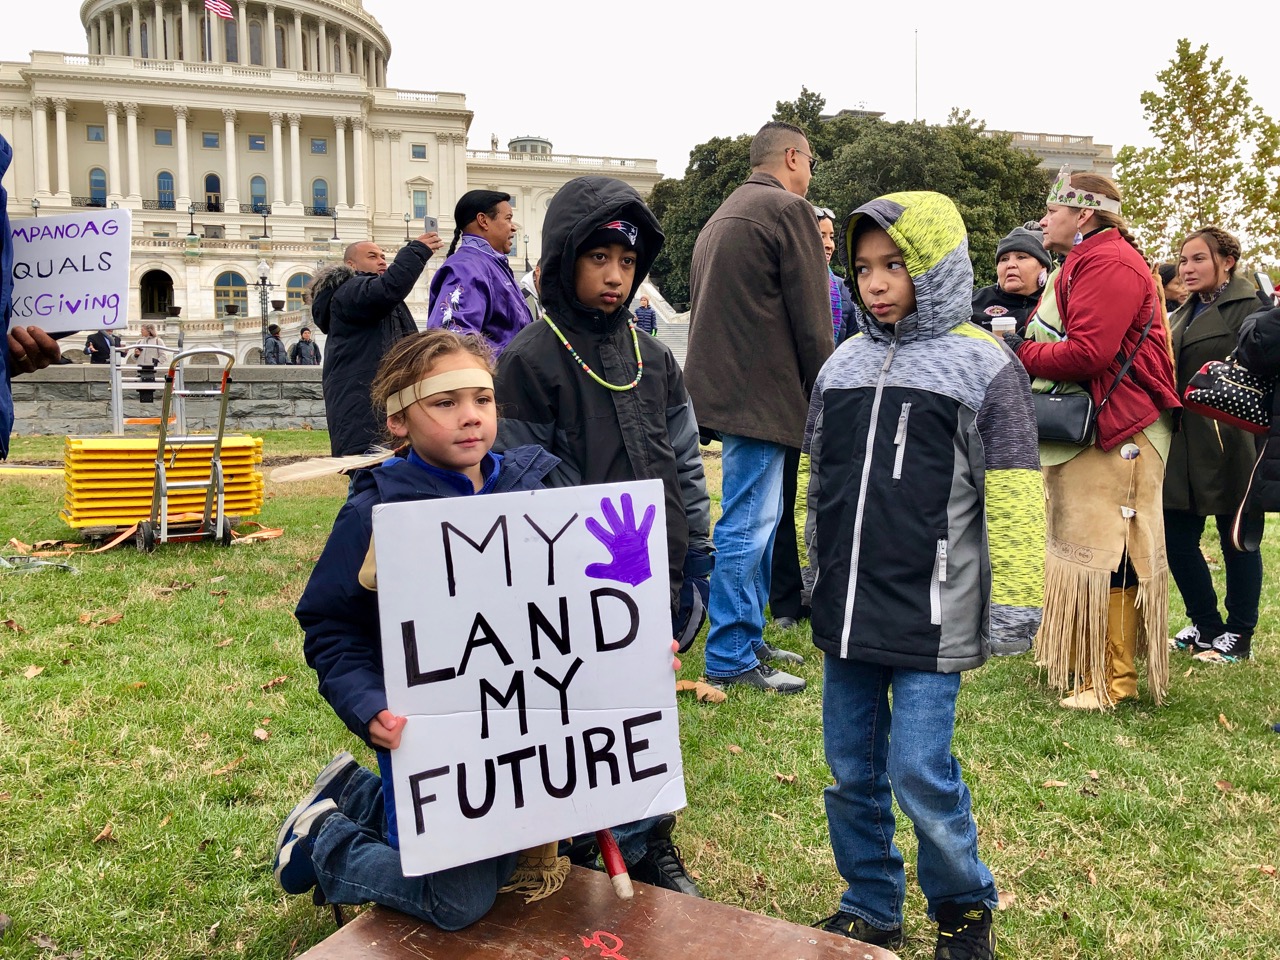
(363, 314)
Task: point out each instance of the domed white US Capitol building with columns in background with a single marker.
(252, 152)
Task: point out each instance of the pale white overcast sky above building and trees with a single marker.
(652, 80)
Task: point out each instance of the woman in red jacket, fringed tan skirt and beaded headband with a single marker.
(1107, 578)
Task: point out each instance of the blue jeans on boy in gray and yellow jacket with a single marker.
(871, 748)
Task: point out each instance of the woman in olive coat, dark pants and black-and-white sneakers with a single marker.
(1209, 461)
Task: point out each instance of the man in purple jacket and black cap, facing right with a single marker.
(476, 290)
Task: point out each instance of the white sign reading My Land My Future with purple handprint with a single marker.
(527, 637)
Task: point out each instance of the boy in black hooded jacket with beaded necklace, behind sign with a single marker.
(612, 405)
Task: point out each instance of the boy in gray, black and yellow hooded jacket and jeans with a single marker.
(927, 528)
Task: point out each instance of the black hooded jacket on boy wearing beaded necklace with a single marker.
(605, 436)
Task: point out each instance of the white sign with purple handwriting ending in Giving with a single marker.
(72, 273)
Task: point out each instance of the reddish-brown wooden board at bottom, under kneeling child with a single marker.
(587, 922)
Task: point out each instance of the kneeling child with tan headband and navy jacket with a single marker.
(438, 394)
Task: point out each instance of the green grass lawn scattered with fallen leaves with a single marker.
(140, 801)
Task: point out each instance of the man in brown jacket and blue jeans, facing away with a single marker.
(760, 333)
